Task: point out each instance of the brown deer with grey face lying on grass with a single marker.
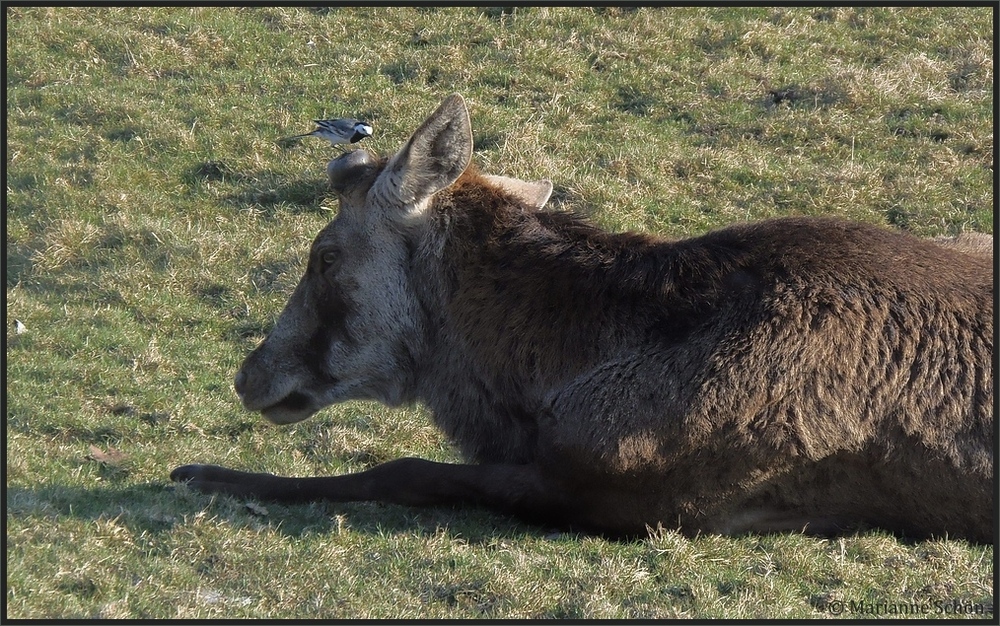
(800, 374)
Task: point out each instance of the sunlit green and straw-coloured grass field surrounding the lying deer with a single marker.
(155, 226)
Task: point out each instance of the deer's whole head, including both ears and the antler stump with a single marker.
(353, 328)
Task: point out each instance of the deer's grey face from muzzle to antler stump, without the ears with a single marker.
(352, 325)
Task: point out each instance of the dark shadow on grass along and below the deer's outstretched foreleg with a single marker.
(163, 507)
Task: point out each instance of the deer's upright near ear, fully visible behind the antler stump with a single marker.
(433, 158)
